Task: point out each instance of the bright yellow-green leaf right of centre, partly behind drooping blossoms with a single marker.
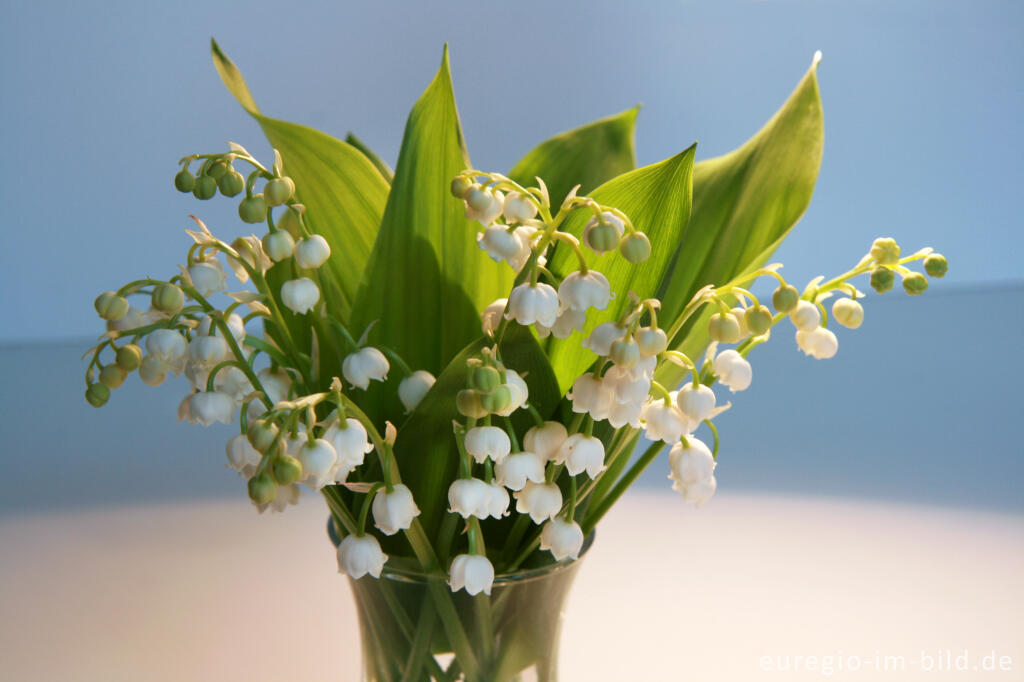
(657, 199)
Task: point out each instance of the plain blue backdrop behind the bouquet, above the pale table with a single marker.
(923, 144)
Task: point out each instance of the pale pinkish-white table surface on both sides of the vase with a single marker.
(187, 592)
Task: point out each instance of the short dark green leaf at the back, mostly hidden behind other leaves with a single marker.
(587, 156)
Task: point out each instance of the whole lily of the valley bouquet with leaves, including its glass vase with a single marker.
(462, 362)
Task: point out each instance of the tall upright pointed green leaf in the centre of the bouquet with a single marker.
(426, 280)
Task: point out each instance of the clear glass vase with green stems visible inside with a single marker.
(413, 627)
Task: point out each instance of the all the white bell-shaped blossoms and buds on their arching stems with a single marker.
(296, 432)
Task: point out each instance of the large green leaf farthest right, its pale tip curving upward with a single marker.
(745, 204)
